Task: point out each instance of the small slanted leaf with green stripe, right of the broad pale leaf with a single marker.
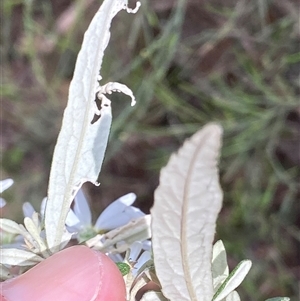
(234, 279)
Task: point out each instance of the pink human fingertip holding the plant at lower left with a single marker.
(76, 273)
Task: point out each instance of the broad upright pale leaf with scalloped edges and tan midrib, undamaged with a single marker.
(186, 206)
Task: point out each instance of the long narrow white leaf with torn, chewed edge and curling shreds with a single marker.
(81, 145)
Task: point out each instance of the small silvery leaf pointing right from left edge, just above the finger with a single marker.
(18, 257)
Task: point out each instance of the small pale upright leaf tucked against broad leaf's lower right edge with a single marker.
(220, 270)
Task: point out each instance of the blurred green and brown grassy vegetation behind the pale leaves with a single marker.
(188, 63)
